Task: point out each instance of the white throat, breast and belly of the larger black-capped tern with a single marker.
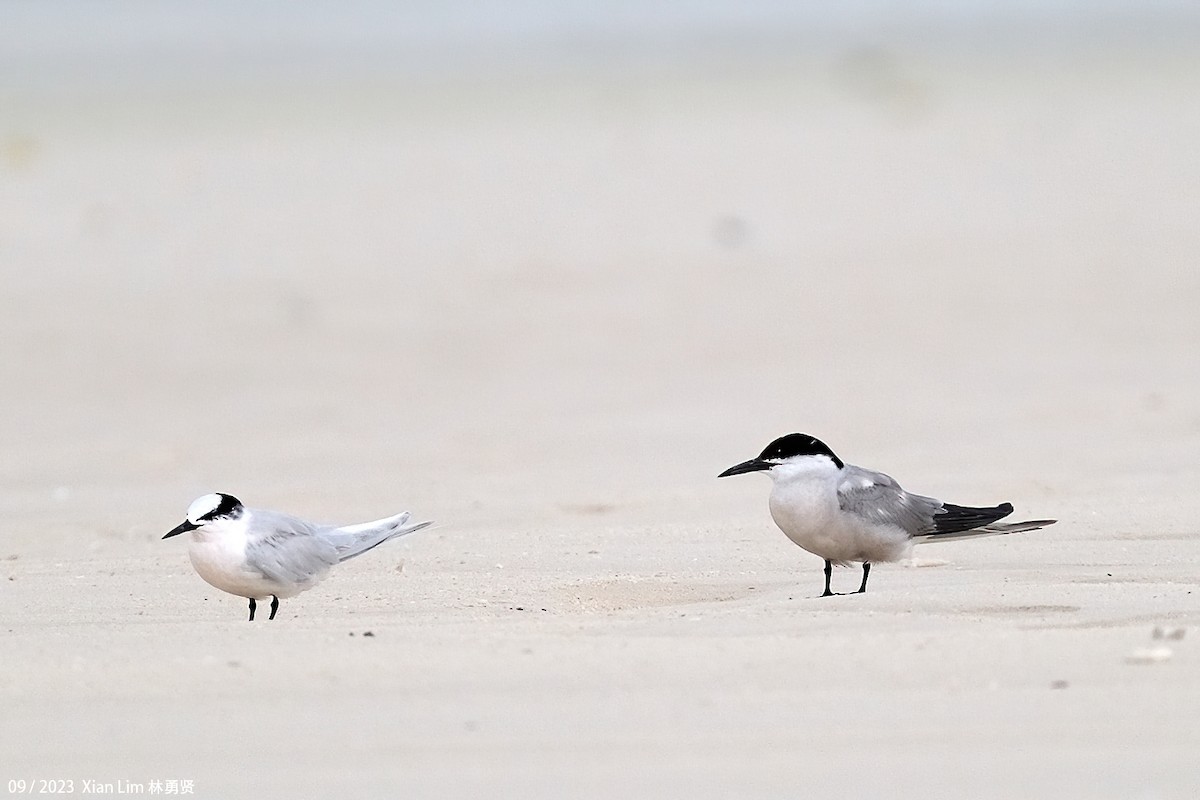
(805, 506)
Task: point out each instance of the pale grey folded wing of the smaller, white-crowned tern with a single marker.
(289, 550)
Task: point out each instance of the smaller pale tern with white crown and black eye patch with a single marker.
(260, 555)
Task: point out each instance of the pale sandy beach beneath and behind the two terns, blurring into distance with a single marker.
(545, 310)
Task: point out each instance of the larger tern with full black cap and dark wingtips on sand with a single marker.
(847, 514)
